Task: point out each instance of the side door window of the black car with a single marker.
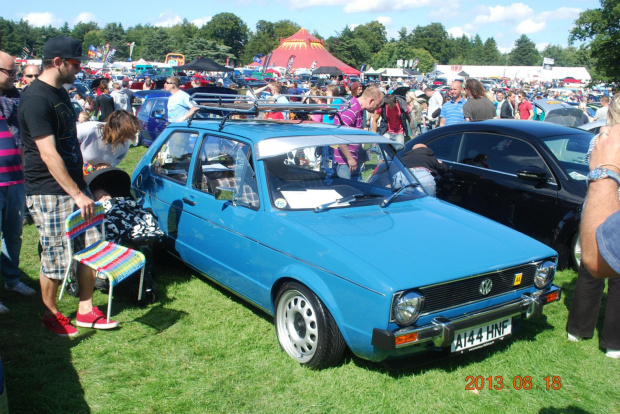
(500, 153)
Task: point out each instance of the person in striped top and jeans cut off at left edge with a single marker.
(12, 196)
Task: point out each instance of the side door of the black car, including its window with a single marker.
(505, 179)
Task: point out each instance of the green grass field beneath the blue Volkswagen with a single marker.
(201, 350)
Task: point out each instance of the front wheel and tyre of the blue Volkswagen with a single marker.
(305, 328)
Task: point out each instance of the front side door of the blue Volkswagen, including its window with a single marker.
(221, 237)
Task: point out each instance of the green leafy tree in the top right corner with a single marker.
(602, 28)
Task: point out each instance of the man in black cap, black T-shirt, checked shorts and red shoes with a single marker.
(55, 185)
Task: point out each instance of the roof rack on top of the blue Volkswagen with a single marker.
(224, 105)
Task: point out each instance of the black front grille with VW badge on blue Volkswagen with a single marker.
(459, 292)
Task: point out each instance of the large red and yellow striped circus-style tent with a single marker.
(307, 49)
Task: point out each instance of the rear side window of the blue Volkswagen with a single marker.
(174, 156)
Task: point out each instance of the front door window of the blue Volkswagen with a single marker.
(226, 163)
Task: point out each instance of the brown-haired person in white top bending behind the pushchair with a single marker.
(105, 144)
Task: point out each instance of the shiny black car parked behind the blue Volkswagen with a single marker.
(528, 175)
